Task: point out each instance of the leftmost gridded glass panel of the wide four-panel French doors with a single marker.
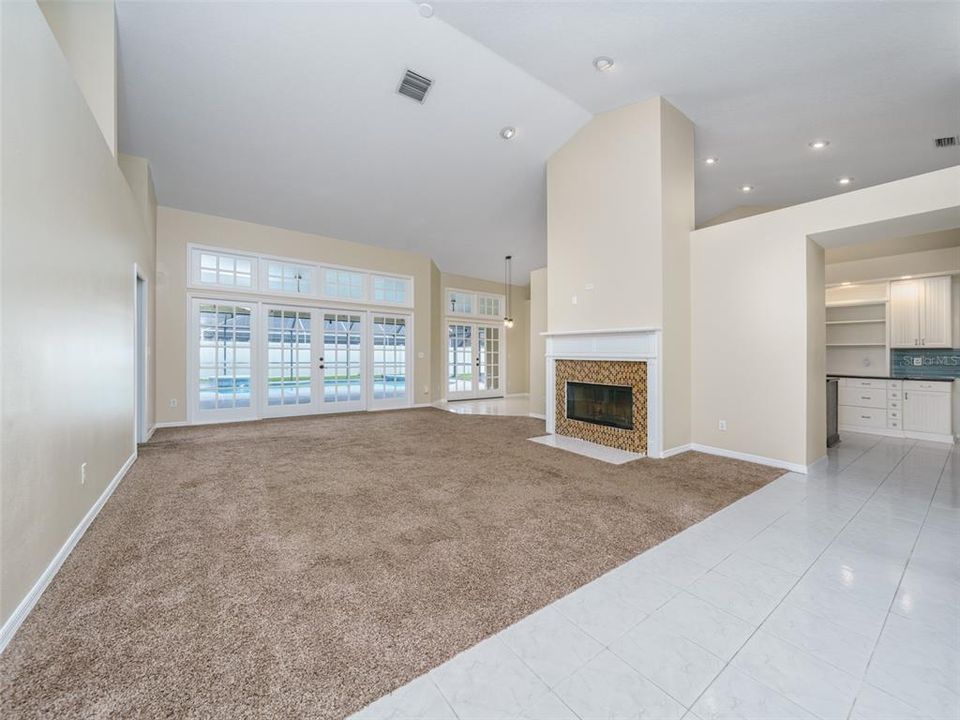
(224, 360)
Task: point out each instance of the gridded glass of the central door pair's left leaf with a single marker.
(289, 362)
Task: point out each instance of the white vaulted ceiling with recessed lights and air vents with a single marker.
(285, 114)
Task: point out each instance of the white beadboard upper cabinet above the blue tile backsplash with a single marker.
(920, 313)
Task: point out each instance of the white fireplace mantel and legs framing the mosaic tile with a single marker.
(631, 344)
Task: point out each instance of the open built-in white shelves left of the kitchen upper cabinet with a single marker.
(856, 332)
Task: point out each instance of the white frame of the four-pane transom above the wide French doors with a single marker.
(260, 286)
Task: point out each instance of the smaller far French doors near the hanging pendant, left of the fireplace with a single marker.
(474, 360)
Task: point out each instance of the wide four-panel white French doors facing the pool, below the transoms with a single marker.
(269, 360)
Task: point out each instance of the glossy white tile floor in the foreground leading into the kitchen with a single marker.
(833, 595)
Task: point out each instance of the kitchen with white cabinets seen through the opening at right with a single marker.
(893, 338)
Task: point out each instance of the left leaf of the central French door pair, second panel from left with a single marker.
(291, 356)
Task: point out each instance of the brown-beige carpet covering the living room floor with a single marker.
(304, 567)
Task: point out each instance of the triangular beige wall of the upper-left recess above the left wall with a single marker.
(86, 31)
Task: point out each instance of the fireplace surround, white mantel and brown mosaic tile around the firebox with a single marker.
(619, 346)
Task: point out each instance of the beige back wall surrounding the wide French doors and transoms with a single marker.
(178, 228)
